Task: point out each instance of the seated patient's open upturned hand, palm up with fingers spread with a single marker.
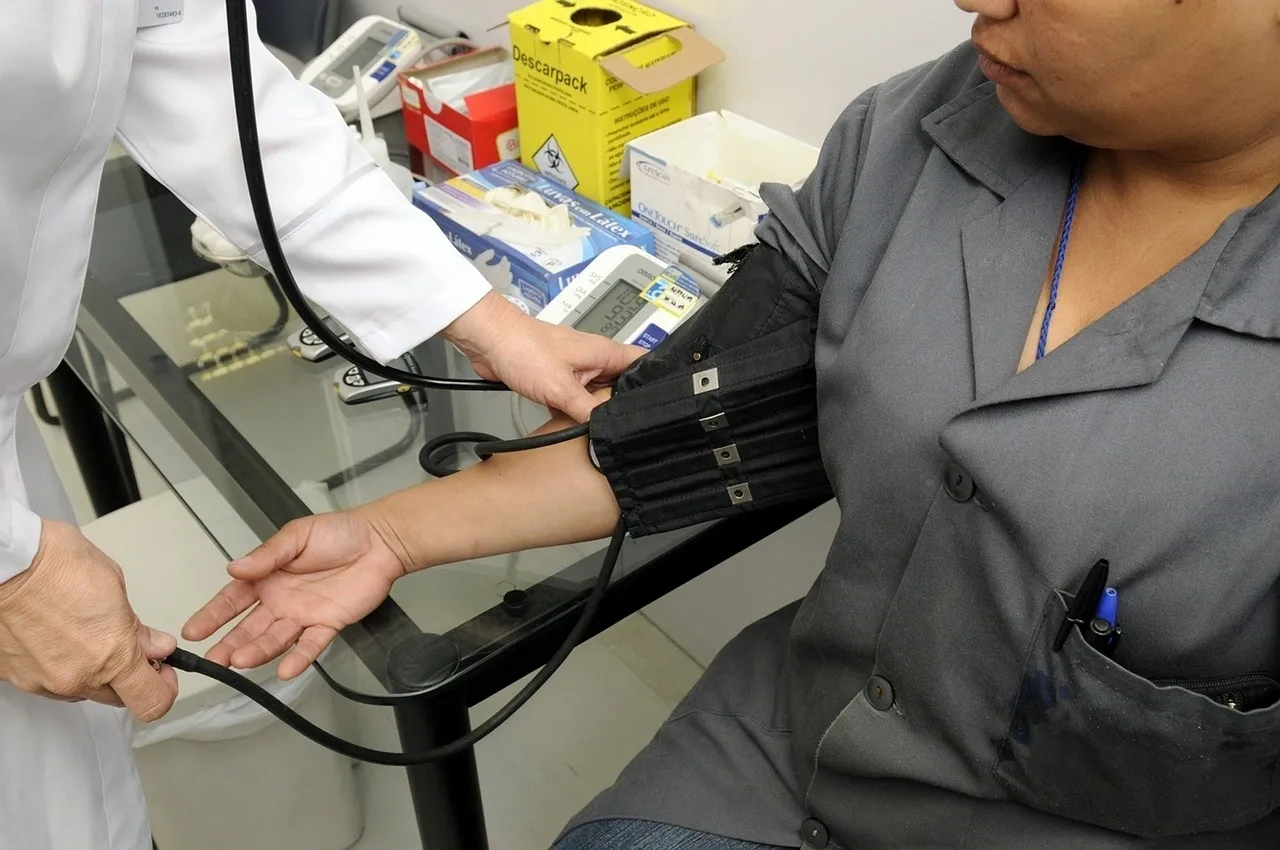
(313, 579)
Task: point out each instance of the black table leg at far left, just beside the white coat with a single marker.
(97, 444)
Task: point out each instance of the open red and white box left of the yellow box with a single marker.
(461, 141)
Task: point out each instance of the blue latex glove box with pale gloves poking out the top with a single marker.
(520, 255)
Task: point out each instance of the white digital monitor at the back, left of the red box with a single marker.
(381, 48)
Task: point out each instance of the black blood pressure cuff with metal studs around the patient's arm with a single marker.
(723, 418)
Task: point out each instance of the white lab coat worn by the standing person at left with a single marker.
(76, 75)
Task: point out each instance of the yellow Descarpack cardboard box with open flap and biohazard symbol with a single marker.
(595, 75)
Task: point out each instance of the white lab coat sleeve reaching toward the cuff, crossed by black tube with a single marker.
(358, 248)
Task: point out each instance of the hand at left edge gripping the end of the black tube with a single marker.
(67, 632)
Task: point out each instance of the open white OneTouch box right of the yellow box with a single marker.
(698, 184)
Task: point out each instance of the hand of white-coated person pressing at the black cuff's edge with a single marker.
(548, 364)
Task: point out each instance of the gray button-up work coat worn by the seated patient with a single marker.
(913, 700)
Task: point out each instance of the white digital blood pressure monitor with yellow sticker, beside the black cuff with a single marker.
(629, 296)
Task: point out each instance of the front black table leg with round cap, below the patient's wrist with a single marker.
(447, 801)
